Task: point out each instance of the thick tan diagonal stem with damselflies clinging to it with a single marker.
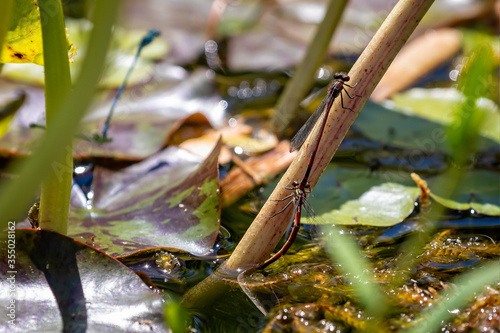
(264, 233)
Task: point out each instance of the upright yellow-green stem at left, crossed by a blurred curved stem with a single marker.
(56, 187)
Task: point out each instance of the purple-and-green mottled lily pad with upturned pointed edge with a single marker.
(169, 200)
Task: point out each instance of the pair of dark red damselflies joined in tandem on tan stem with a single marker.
(302, 189)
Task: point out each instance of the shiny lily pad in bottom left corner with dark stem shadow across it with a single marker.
(58, 284)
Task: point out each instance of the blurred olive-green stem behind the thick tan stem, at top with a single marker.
(300, 84)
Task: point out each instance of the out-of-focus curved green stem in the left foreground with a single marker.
(14, 194)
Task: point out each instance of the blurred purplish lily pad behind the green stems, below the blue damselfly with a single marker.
(140, 126)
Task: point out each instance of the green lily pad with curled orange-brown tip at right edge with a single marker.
(478, 190)
